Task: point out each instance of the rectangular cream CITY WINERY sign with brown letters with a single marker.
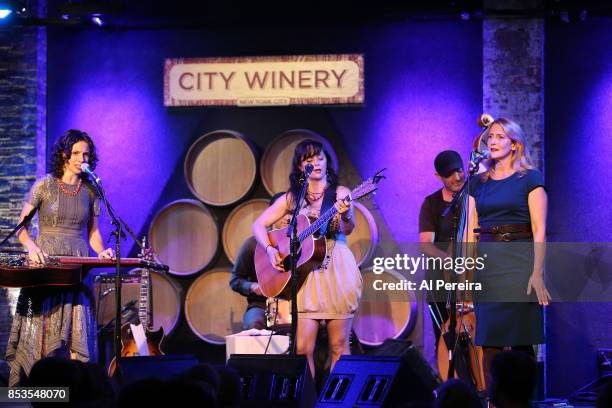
(264, 81)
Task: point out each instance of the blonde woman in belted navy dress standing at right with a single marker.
(507, 217)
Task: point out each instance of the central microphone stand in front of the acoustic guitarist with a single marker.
(294, 247)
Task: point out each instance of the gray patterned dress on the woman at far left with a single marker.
(55, 320)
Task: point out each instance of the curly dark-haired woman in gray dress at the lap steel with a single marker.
(55, 321)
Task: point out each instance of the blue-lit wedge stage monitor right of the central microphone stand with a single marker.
(395, 373)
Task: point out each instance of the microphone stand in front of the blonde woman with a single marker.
(461, 196)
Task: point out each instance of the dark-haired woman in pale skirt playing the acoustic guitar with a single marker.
(331, 292)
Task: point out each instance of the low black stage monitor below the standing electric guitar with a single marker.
(162, 367)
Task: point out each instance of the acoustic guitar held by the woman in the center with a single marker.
(313, 248)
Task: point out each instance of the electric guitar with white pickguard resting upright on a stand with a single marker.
(140, 339)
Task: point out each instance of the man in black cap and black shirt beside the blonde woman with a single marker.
(434, 230)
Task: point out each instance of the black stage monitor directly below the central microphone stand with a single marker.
(274, 380)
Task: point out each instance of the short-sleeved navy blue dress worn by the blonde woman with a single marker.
(505, 315)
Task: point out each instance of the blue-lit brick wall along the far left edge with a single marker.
(22, 137)
